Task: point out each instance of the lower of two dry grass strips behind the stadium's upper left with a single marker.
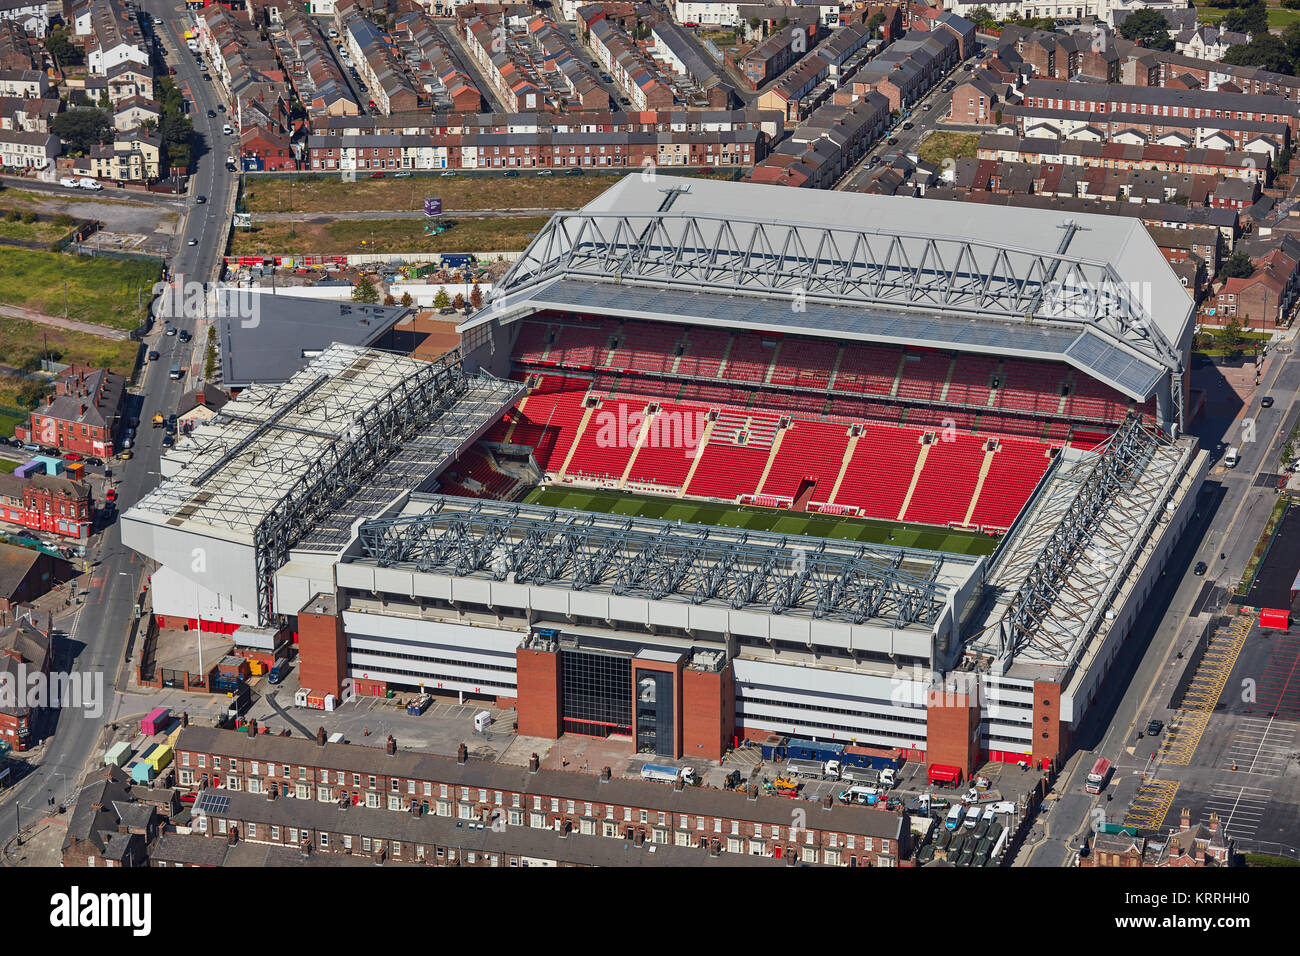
(385, 236)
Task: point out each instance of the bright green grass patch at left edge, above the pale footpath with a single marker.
(99, 289)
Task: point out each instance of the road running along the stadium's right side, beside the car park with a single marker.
(1233, 518)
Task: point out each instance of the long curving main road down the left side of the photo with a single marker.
(97, 634)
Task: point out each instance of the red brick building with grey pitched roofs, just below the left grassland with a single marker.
(83, 416)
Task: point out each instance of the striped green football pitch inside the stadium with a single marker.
(765, 520)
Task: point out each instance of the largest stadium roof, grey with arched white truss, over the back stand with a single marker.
(1090, 291)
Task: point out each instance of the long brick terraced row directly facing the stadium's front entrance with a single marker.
(409, 785)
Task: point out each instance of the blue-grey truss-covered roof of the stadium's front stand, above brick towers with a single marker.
(668, 561)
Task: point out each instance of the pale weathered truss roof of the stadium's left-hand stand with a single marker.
(297, 465)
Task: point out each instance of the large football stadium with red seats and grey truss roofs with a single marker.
(722, 461)
